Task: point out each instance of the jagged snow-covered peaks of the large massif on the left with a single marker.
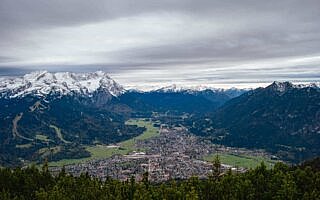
(42, 83)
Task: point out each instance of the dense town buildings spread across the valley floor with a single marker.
(175, 154)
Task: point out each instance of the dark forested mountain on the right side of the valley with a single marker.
(282, 118)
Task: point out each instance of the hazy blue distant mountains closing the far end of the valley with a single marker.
(174, 99)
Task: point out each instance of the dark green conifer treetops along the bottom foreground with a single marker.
(281, 182)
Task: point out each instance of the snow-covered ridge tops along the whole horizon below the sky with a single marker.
(42, 83)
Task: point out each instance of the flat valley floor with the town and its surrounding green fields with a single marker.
(164, 152)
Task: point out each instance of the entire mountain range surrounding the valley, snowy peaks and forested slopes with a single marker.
(69, 110)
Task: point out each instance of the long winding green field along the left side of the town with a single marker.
(104, 151)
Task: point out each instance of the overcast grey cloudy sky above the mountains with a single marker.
(150, 43)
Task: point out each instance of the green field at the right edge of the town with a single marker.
(241, 160)
